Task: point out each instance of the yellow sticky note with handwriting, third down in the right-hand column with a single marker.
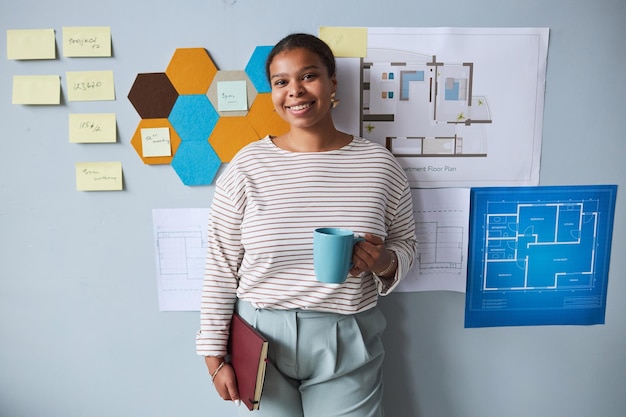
(92, 128)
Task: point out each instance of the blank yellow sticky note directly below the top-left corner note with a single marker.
(36, 89)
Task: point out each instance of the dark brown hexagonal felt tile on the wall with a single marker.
(152, 95)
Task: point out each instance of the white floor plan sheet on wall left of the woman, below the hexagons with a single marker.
(180, 249)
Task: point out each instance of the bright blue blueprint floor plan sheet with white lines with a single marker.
(539, 255)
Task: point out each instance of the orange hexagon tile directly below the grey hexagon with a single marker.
(230, 135)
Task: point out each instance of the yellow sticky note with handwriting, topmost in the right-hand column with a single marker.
(91, 41)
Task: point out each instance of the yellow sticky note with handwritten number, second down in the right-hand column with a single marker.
(90, 85)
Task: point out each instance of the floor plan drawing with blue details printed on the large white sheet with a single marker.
(421, 106)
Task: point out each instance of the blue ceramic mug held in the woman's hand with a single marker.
(332, 253)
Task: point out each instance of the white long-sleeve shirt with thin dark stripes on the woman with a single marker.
(266, 205)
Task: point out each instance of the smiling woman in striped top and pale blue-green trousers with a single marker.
(325, 339)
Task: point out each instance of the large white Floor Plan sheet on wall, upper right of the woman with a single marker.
(456, 106)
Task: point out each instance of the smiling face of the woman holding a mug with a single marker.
(301, 87)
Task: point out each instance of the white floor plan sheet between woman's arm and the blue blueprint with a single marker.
(441, 223)
